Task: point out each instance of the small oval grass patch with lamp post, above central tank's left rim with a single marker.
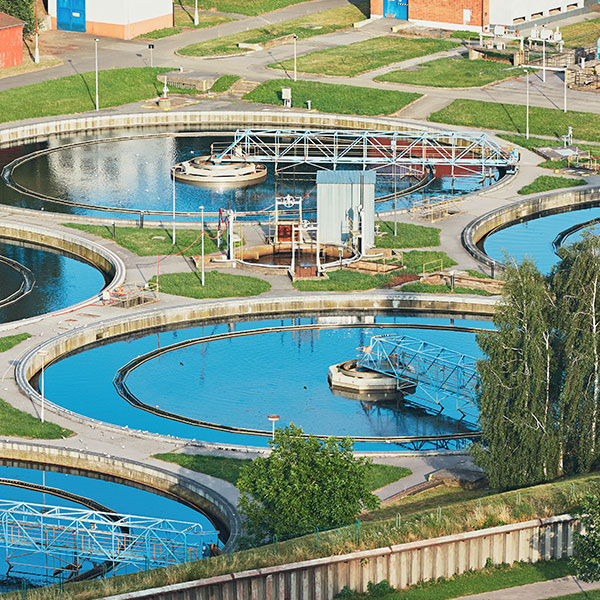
(217, 285)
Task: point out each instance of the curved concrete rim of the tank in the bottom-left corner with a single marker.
(217, 508)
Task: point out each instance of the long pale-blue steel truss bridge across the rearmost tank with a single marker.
(460, 152)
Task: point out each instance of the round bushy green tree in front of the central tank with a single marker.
(303, 484)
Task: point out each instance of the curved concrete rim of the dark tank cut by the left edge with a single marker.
(106, 261)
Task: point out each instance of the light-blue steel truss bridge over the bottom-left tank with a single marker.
(72, 536)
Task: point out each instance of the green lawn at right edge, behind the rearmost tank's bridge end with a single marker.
(512, 117)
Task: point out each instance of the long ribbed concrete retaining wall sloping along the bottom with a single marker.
(402, 565)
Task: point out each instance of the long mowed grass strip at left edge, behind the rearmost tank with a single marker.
(76, 93)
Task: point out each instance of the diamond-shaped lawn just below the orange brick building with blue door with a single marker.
(347, 61)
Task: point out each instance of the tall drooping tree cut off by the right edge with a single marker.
(575, 282)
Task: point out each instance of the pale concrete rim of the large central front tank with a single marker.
(76, 339)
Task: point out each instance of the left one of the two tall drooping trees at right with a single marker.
(519, 384)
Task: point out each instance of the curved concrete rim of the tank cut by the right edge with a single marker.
(538, 206)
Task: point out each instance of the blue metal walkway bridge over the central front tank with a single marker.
(439, 373)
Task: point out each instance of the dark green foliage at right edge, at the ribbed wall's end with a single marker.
(586, 556)
